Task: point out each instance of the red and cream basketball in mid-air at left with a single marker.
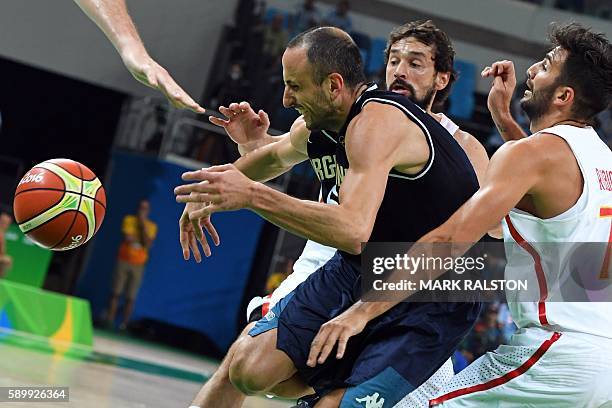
(59, 204)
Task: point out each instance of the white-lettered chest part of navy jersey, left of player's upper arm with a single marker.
(321, 148)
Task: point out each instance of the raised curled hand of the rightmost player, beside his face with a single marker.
(502, 87)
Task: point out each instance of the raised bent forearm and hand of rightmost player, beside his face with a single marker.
(500, 97)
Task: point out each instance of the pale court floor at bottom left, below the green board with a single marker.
(119, 373)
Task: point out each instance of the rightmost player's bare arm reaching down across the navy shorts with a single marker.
(511, 175)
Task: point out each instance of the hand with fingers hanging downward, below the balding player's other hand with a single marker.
(191, 232)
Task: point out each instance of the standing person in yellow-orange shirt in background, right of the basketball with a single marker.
(139, 232)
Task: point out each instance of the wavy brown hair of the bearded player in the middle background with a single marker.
(425, 31)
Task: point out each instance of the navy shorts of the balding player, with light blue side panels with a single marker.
(394, 354)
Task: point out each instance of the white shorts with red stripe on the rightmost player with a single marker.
(539, 368)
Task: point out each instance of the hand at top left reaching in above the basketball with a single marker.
(153, 75)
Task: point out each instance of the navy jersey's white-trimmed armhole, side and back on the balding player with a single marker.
(415, 204)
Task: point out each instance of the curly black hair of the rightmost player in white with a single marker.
(587, 68)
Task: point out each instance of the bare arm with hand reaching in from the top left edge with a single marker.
(112, 17)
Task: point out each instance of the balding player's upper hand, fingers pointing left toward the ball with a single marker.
(221, 188)
